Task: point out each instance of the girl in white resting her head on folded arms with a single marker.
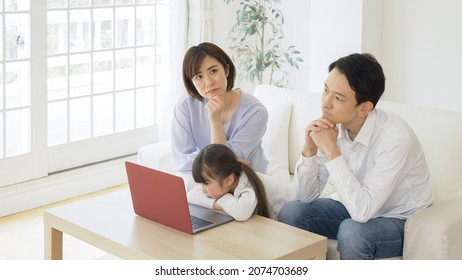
(227, 184)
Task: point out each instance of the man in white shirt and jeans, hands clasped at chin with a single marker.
(371, 158)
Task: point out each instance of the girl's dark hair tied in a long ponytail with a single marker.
(217, 161)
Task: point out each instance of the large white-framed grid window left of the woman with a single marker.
(80, 81)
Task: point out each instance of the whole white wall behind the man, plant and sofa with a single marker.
(418, 42)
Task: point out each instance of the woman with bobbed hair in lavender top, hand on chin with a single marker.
(215, 113)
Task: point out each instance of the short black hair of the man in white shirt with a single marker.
(364, 74)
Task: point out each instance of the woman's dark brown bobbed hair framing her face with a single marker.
(193, 59)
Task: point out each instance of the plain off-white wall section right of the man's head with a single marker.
(423, 52)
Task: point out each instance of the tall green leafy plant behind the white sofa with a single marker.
(256, 43)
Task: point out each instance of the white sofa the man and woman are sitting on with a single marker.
(434, 233)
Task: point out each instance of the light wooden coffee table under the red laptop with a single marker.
(109, 223)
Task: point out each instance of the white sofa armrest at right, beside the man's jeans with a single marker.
(436, 232)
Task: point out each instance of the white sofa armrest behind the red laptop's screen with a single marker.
(157, 155)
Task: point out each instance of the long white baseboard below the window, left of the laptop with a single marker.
(63, 185)
